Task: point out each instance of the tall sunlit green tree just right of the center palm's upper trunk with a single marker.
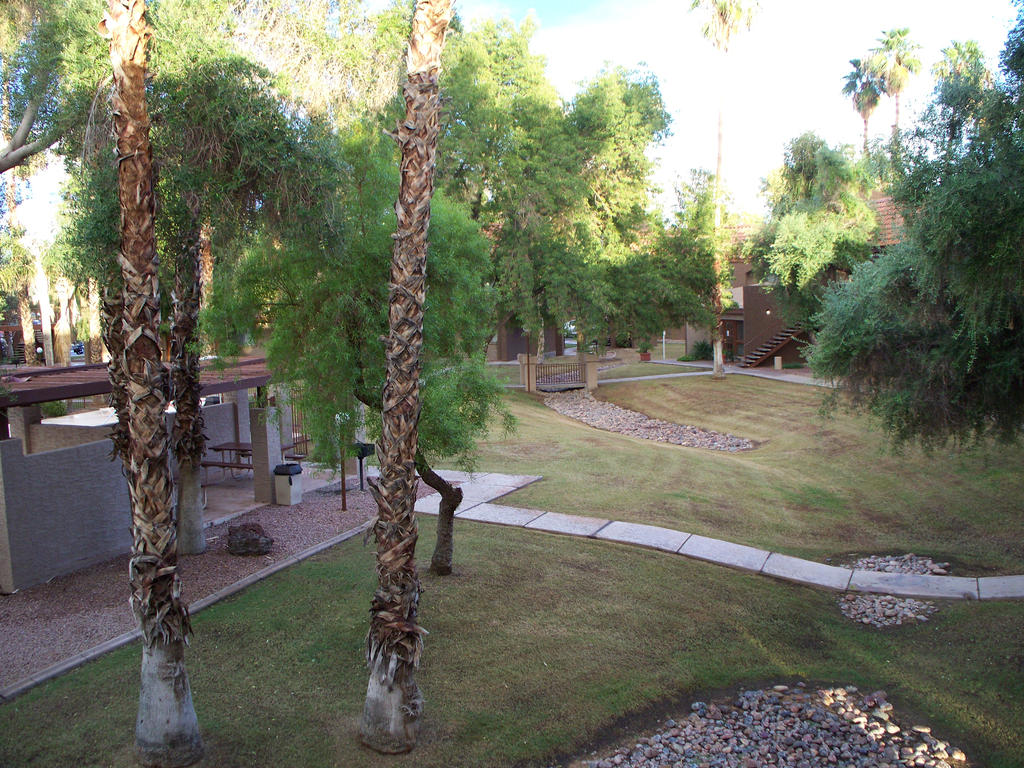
(507, 152)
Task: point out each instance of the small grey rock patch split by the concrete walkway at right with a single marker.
(889, 611)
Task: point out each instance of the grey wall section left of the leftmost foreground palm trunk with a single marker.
(60, 511)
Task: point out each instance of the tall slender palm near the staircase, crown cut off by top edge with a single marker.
(726, 19)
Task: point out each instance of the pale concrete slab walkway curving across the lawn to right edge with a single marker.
(481, 490)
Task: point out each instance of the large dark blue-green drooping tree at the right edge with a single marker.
(929, 337)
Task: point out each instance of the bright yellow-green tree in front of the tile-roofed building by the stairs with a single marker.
(821, 226)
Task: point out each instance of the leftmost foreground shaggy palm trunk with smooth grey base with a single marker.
(166, 730)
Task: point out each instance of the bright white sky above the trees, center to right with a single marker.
(784, 77)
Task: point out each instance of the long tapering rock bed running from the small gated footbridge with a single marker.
(582, 406)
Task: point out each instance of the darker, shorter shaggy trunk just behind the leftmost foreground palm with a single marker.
(189, 442)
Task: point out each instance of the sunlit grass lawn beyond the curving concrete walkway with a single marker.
(816, 488)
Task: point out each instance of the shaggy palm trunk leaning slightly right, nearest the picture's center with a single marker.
(394, 705)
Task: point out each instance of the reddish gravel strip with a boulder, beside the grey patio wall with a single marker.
(47, 624)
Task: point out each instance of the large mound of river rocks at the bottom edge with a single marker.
(784, 727)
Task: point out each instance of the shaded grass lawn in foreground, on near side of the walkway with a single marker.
(540, 648)
